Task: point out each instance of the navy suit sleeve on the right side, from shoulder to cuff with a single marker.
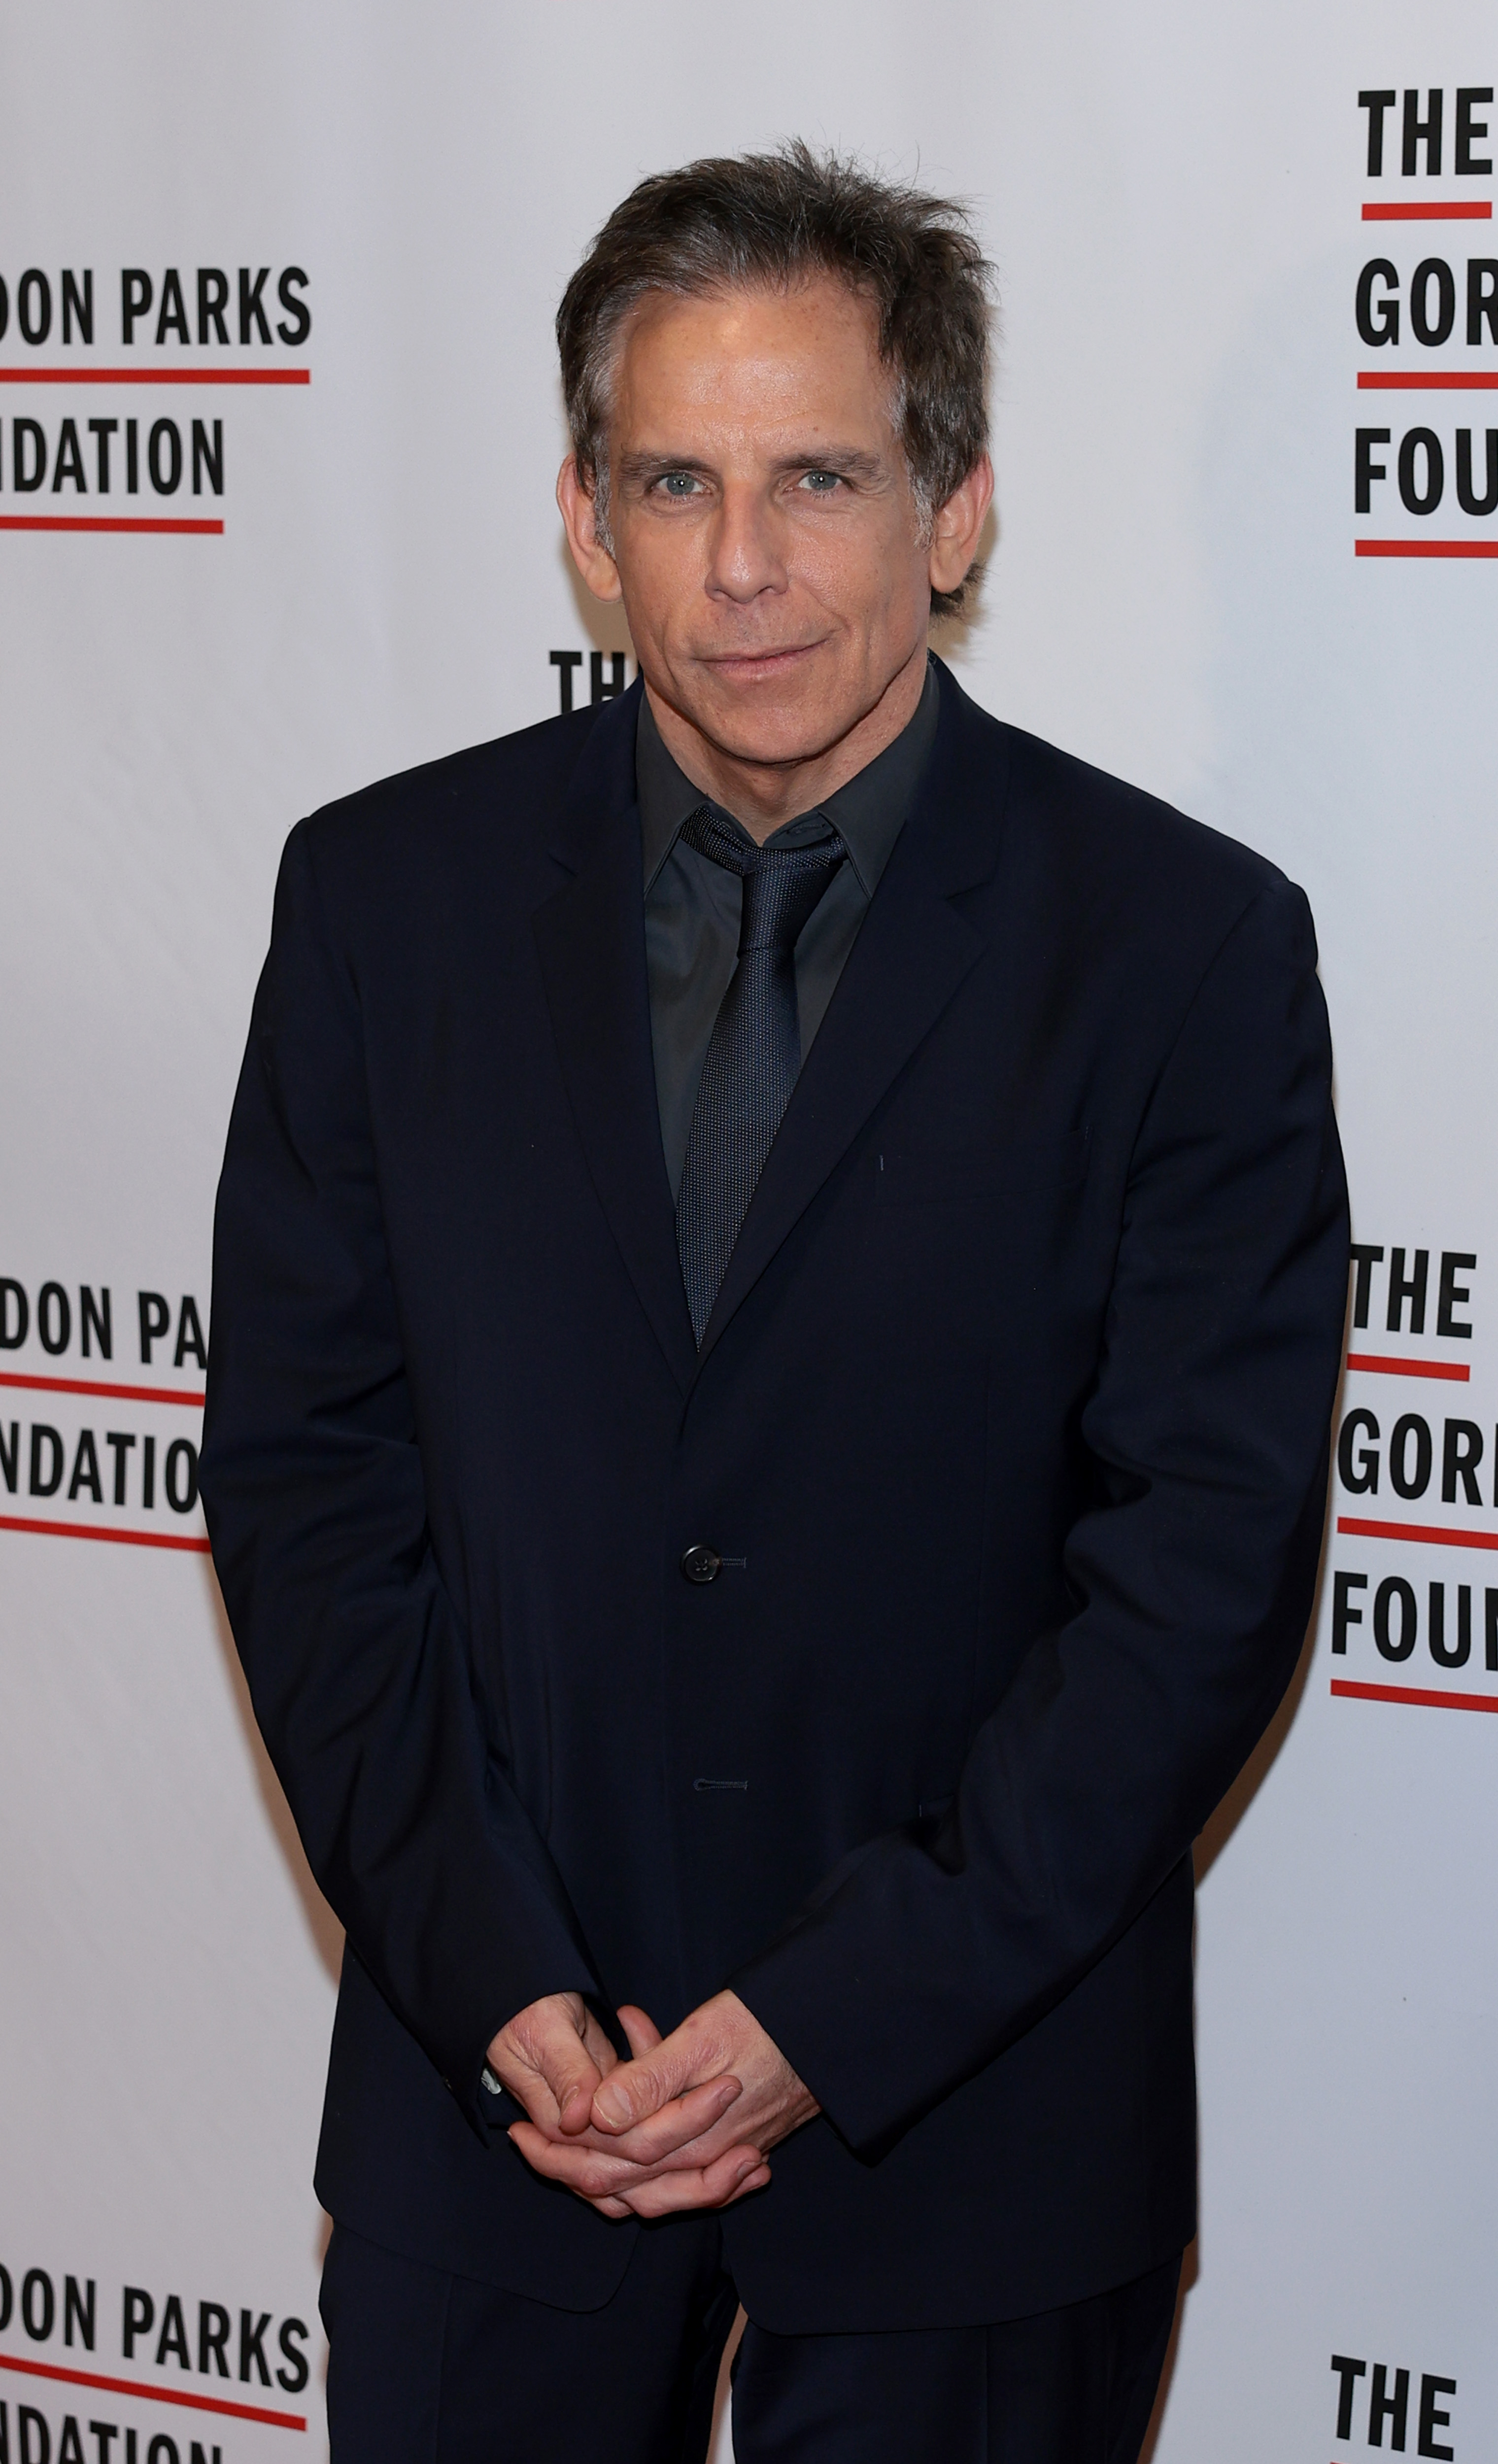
(1209, 1425)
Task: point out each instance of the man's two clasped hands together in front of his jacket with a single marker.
(686, 2123)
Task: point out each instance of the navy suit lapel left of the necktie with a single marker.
(593, 950)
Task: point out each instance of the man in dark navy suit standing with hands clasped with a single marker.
(777, 1300)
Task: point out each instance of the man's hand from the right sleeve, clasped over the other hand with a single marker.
(686, 2123)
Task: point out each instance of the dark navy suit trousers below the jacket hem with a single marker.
(430, 2369)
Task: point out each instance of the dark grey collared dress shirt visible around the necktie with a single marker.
(694, 906)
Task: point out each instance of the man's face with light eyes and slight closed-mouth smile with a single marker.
(763, 521)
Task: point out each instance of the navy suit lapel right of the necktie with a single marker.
(908, 962)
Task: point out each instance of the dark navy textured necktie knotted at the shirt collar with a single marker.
(755, 1048)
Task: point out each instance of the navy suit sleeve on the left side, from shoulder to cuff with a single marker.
(314, 1492)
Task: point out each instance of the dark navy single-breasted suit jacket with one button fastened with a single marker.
(1009, 1428)
